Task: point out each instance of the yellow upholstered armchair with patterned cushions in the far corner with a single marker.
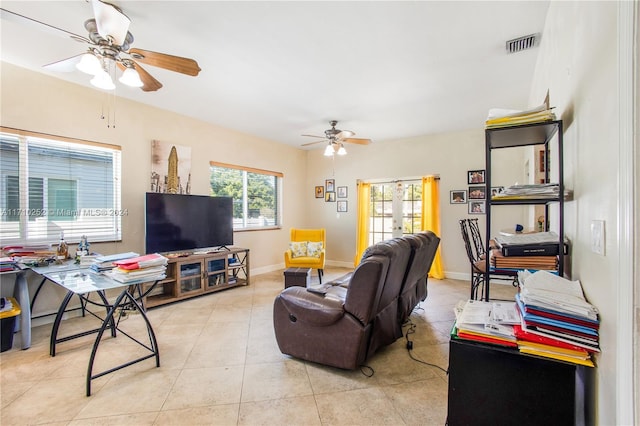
(306, 250)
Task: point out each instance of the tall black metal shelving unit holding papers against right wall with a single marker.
(519, 136)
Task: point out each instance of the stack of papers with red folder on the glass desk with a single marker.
(150, 267)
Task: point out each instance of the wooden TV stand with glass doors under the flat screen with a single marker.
(200, 273)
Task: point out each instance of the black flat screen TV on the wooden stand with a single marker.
(176, 222)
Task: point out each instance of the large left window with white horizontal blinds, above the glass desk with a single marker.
(52, 185)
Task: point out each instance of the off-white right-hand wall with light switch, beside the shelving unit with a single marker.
(578, 63)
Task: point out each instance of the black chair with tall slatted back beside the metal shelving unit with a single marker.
(477, 254)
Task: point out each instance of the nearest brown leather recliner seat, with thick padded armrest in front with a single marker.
(346, 327)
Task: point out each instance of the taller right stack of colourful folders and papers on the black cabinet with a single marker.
(556, 320)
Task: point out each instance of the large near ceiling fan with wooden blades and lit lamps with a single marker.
(109, 42)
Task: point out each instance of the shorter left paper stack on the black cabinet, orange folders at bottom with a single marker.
(486, 322)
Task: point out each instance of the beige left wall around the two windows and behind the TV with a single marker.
(32, 101)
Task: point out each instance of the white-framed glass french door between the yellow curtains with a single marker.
(395, 210)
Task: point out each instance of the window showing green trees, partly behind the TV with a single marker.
(256, 194)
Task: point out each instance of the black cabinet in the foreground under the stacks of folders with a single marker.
(490, 385)
